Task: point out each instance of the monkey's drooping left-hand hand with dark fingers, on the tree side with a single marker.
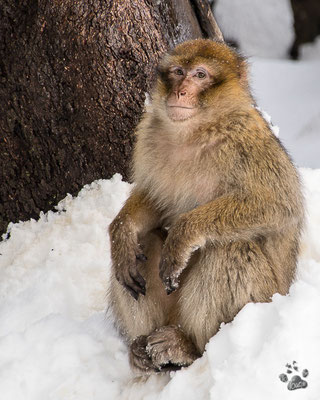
(126, 257)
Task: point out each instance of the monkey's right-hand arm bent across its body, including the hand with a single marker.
(228, 218)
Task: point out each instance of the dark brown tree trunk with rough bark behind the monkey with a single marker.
(73, 78)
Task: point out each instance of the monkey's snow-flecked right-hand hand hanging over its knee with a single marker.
(178, 248)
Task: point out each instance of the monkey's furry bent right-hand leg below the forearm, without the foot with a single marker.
(219, 284)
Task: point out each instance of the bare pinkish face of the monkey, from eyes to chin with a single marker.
(186, 85)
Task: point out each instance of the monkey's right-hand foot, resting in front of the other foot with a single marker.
(170, 349)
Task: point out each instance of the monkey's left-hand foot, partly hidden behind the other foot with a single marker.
(139, 357)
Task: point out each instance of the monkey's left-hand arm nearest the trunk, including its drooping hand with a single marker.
(136, 217)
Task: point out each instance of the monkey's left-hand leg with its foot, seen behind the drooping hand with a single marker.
(138, 318)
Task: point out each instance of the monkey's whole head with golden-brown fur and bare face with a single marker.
(196, 76)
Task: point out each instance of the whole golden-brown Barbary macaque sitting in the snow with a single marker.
(215, 214)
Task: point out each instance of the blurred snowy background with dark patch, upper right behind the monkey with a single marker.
(281, 40)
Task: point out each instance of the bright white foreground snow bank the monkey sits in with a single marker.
(57, 341)
